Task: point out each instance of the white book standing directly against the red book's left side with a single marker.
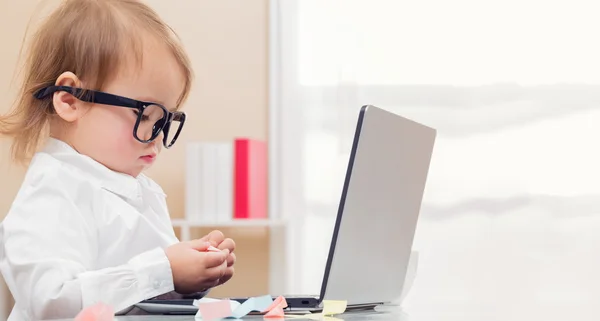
(225, 154)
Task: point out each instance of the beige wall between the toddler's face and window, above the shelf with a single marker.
(229, 98)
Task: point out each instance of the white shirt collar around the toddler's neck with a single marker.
(118, 183)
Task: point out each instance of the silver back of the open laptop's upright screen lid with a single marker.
(378, 210)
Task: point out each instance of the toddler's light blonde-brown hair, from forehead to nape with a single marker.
(92, 39)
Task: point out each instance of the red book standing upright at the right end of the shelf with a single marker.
(250, 179)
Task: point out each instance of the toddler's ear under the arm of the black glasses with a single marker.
(66, 105)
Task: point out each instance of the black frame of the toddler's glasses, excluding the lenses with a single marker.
(103, 98)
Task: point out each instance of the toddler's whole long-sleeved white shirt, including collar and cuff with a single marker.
(79, 233)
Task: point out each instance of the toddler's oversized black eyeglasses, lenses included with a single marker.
(152, 118)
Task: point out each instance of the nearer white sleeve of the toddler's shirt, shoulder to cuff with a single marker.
(48, 254)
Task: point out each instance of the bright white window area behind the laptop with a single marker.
(511, 215)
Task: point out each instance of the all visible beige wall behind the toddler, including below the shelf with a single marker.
(227, 42)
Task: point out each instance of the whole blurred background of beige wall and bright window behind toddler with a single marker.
(510, 223)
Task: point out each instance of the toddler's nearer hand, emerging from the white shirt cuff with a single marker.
(195, 268)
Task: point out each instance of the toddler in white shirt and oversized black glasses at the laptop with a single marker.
(103, 84)
